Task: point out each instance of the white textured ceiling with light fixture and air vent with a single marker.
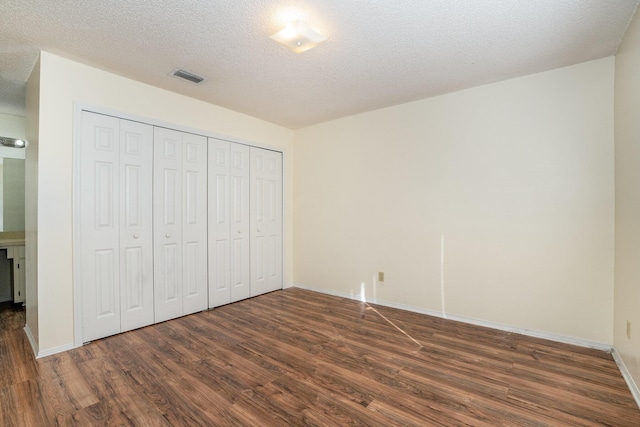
(378, 53)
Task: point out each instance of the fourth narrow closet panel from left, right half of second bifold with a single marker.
(194, 223)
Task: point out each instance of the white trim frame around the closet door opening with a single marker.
(78, 108)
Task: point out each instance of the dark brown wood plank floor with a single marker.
(296, 357)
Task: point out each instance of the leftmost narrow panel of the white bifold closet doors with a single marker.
(99, 225)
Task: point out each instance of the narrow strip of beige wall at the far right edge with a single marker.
(627, 166)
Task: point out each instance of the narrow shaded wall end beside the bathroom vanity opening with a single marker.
(32, 127)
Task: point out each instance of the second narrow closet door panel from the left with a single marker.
(136, 225)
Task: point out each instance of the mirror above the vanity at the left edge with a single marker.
(11, 189)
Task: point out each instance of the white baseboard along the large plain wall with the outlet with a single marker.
(529, 332)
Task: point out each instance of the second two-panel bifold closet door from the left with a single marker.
(180, 223)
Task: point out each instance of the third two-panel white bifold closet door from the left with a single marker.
(229, 232)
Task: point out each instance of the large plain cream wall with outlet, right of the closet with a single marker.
(493, 203)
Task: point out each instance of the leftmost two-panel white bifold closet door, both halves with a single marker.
(115, 225)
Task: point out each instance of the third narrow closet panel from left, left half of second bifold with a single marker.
(167, 220)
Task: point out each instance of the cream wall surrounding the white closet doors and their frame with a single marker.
(63, 82)
